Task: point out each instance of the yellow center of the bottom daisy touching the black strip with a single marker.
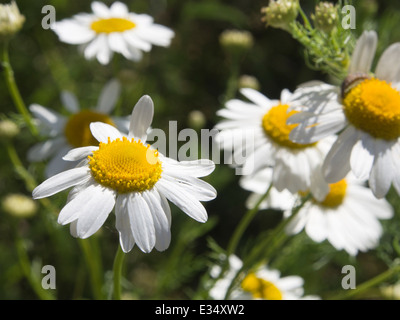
(260, 288)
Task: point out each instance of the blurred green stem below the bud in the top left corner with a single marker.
(14, 92)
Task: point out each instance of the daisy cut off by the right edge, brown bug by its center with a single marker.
(365, 112)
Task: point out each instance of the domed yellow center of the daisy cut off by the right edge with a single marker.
(374, 106)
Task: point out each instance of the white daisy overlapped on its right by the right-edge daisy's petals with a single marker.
(265, 119)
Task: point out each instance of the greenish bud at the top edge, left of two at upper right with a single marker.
(280, 13)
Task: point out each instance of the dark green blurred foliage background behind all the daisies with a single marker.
(191, 74)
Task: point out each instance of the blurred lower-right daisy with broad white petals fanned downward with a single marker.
(348, 217)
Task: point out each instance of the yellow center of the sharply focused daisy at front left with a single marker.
(125, 165)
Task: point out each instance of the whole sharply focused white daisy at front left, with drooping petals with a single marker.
(126, 173)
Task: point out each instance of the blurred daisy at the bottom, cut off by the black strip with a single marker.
(262, 284)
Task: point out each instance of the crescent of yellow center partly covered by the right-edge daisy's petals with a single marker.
(274, 125)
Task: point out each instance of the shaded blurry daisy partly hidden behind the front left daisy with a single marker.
(66, 132)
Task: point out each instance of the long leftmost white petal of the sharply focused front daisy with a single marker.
(60, 182)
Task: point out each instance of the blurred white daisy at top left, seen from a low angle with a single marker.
(114, 29)
